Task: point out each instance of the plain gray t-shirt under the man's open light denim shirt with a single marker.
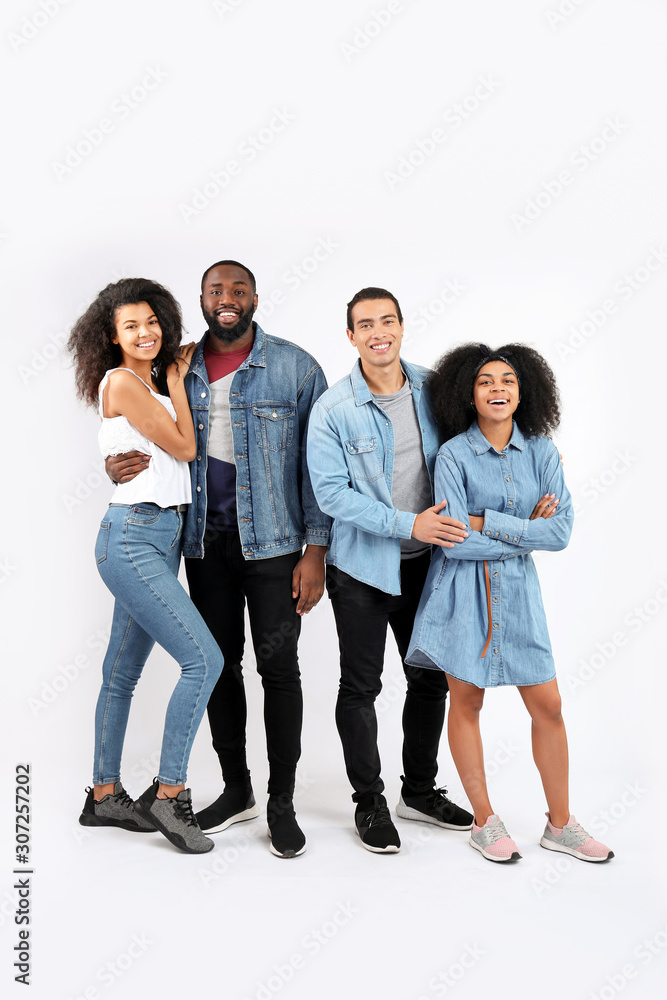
(411, 487)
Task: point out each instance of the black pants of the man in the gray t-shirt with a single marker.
(362, 614)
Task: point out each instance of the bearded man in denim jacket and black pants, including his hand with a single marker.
(252, 512)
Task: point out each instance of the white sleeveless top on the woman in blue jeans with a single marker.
(166, 481)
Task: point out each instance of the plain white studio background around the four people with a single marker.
(519, 94)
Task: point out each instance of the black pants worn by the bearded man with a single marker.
(220, 584)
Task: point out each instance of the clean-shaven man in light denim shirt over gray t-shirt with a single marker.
(372, 444)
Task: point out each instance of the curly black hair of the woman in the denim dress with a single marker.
(452, 379)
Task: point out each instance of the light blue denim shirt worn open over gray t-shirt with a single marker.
(351, 463)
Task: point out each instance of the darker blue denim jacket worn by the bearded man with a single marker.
(270, 398)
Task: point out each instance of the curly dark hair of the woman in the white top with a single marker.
(90, 339)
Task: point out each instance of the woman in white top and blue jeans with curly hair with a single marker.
(125, 349)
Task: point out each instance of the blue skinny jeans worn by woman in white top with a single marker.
(138, 554)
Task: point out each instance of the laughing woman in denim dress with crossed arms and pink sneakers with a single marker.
(481, 618)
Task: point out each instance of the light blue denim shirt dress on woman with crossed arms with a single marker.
(462, 608)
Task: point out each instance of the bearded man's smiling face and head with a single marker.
(228, 301)
